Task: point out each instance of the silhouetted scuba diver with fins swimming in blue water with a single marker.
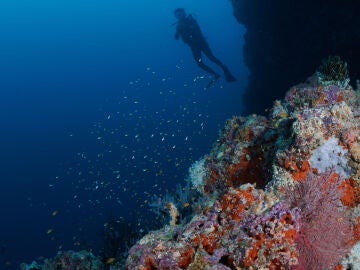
(189, 31)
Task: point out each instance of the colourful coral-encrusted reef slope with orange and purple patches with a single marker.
(281, 192)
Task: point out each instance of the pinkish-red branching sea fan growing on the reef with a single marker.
(326, 230)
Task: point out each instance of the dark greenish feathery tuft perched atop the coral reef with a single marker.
(333, 71)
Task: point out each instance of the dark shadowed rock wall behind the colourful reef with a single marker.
(286, 39)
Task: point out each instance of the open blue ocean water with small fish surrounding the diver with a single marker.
(100, 109)
